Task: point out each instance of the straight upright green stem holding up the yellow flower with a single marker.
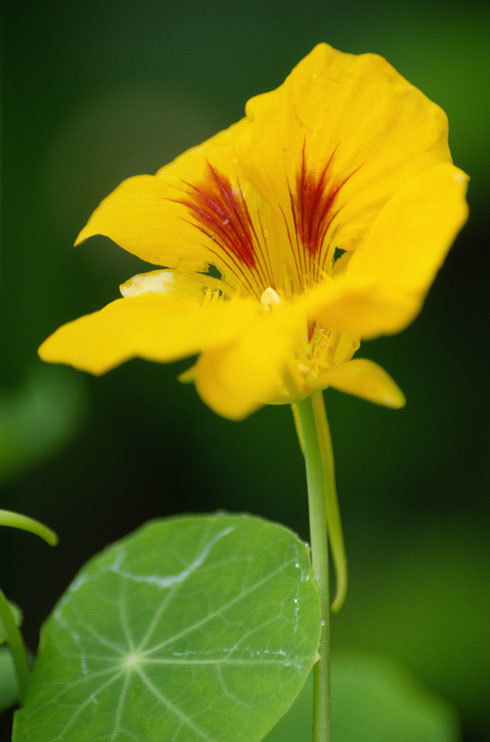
(314, 461)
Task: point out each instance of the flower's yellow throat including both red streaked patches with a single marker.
(255, 246)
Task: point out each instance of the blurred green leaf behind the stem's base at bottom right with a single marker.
(373, 700)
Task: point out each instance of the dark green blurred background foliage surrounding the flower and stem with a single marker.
(94, 92)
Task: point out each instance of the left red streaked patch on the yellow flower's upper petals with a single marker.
(220, 211)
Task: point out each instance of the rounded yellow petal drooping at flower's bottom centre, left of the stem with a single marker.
(236, 379)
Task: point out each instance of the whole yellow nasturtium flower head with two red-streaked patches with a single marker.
(318, 220)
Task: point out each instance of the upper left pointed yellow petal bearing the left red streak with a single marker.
(175, 218)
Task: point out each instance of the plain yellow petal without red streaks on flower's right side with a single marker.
(386, 280)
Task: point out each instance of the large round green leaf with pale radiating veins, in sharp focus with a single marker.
(192, 629)
